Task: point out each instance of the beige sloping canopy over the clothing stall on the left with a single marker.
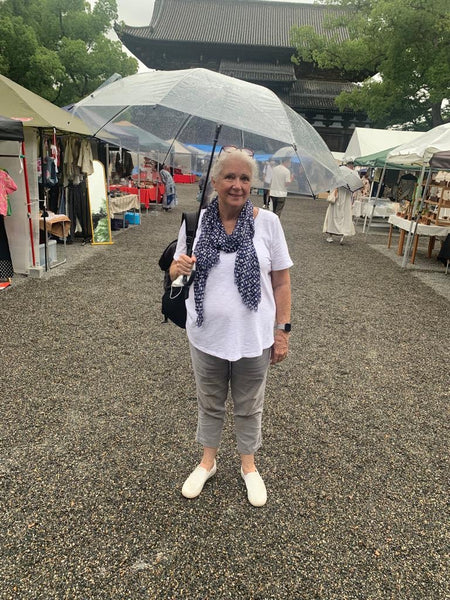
(20, 104)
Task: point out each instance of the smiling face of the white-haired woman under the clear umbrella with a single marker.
(233, 183)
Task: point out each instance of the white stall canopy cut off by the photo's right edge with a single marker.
(420, 151)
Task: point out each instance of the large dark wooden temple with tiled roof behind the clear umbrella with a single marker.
(250, 40)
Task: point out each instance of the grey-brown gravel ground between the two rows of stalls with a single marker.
(99, 415)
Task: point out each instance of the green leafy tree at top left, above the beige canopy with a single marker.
(59, 49)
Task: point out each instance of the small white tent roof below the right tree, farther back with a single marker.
(368, 141)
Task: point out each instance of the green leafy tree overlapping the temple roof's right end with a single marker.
(404, 43)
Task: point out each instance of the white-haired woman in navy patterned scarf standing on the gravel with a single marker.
(238, 314)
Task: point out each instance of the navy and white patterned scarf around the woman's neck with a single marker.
(213, 239)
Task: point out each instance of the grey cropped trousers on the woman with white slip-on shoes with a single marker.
(246, 379)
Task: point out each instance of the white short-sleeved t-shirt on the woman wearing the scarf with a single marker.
(230, 330)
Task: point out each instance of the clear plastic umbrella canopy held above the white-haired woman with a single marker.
(189, 105)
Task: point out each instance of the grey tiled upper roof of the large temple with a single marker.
(243, 22)
